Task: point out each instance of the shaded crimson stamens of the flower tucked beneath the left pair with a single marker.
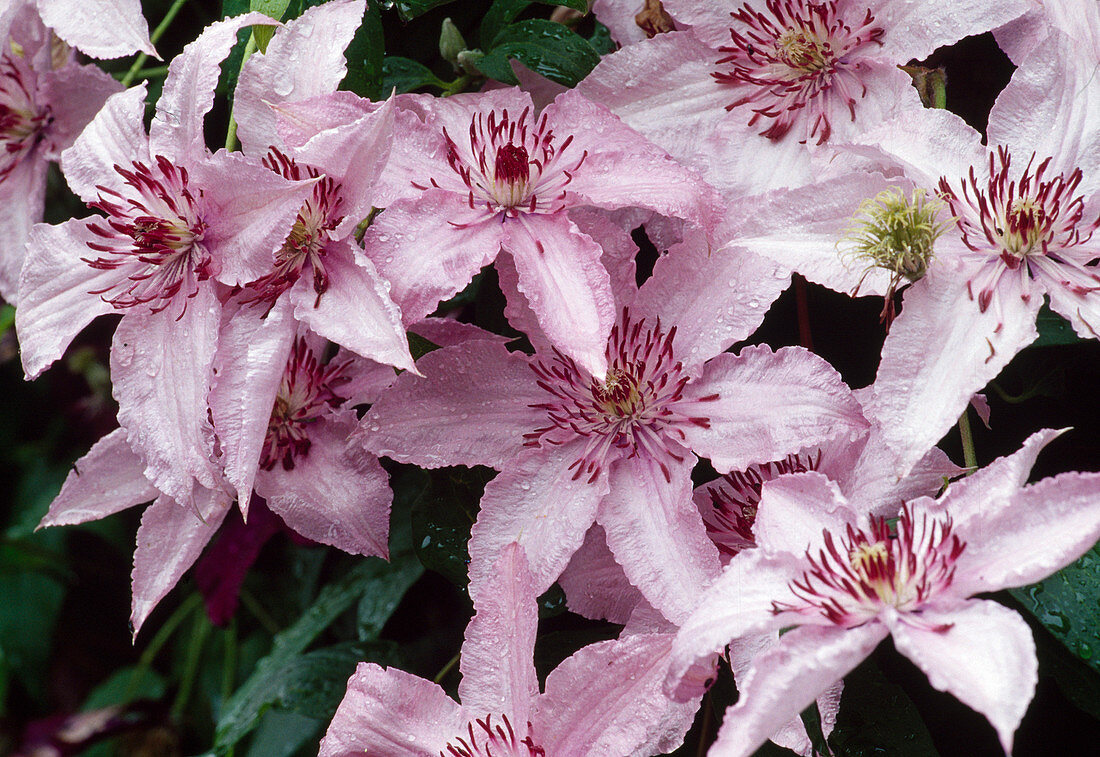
(310, 389)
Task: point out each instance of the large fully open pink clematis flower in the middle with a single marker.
(619, 448)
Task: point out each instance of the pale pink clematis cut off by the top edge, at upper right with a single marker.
(794, 72)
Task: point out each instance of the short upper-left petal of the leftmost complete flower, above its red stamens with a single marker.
(116, 137)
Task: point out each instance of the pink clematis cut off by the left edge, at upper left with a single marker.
(46, 100)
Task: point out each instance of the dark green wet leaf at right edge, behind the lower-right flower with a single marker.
(1069, 606)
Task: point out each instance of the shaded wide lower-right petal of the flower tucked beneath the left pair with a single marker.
(337, 495)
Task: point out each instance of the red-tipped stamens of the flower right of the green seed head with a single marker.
(1021, 222)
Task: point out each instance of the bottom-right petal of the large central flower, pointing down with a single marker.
(656, 534)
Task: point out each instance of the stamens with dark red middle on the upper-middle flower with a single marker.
(513, 164)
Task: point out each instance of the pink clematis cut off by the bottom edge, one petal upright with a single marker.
(503, 712)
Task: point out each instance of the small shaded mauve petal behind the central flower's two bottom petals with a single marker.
(595, 584)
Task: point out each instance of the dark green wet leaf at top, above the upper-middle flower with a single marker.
(544, 47)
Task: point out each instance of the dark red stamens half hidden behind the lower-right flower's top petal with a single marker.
(735, 497)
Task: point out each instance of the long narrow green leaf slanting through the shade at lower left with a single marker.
(268, 685)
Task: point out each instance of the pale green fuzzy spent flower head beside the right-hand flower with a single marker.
(896, 233)
